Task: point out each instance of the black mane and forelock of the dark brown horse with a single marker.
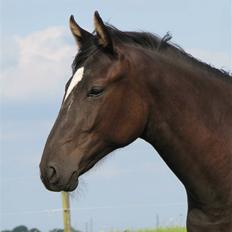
(148, 41)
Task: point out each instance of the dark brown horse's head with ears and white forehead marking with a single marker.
(101, 110)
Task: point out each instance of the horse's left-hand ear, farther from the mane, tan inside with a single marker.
(81, 36)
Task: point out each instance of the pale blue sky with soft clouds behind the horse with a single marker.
(132, 185)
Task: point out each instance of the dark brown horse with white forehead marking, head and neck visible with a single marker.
(127, 85)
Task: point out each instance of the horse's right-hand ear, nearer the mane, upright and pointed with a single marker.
(103, 36)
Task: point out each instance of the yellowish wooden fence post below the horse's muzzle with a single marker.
(66, 211)
